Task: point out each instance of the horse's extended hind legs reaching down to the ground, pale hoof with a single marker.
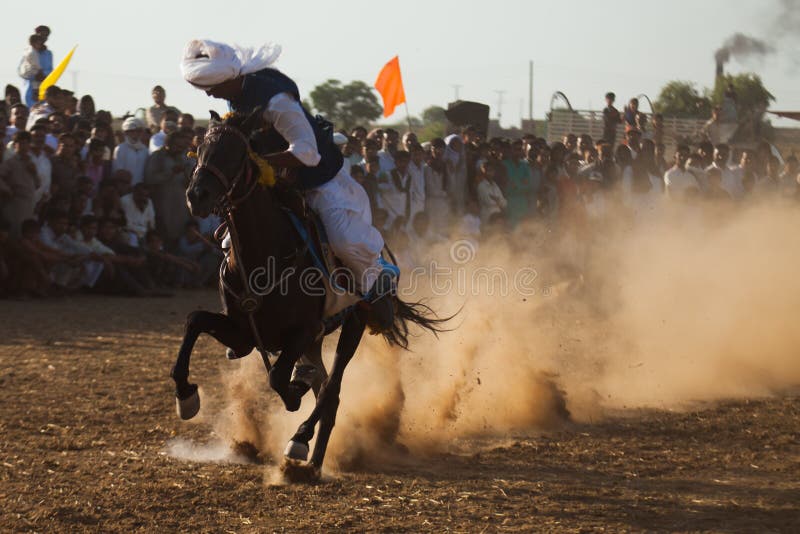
(328, 399)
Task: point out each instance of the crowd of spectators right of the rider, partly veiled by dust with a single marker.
(468, 186)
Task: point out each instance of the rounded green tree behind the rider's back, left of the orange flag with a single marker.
(346, 106)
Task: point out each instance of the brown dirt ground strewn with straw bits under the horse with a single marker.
(87, 411)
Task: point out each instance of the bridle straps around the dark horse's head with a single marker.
(228, 201)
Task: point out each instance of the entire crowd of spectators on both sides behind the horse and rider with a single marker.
(85, 207)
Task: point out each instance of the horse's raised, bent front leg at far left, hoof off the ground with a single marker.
(224, 330)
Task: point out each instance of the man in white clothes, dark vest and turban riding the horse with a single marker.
(246, 78)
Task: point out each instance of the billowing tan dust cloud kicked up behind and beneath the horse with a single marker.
(678, 307)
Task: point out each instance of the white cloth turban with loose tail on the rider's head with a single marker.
(208, 63)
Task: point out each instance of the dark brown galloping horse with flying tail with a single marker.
(289, 322)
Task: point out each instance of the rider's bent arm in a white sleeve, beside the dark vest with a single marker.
(287, 117)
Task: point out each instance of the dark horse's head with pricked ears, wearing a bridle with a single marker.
(224, 168)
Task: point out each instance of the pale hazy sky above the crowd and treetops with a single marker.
(581, 48)
